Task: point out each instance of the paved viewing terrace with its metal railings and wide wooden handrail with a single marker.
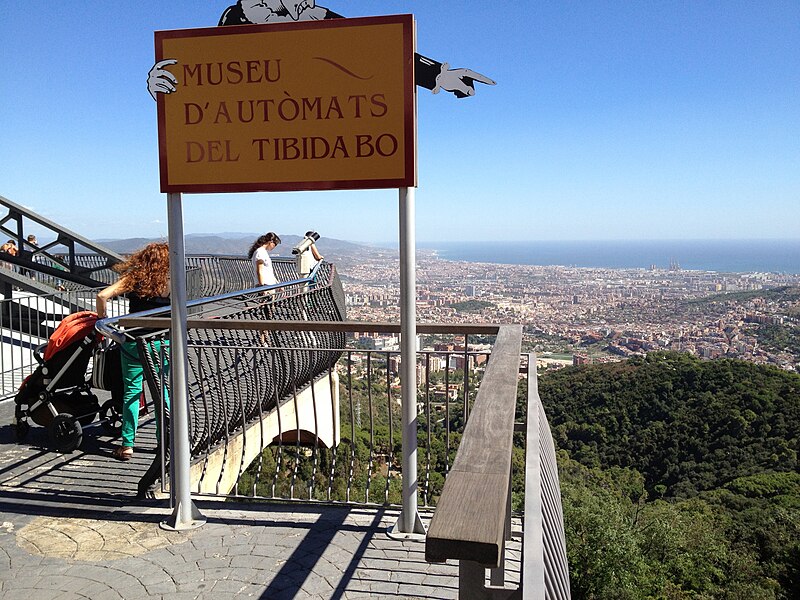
(300, 433)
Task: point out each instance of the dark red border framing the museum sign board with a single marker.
(409, 107)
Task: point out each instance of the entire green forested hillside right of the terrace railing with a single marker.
(679, 478)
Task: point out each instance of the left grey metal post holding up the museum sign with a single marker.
(185, 514)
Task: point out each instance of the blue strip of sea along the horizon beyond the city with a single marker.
(732, 256)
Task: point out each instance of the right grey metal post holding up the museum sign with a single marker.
(408, 525)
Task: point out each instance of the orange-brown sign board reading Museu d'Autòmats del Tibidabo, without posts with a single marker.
(299, 106)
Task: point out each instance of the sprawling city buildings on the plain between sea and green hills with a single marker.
(591, 314)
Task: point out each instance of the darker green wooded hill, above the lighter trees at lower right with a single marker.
(687, 425)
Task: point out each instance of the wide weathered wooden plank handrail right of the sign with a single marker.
(470, 520)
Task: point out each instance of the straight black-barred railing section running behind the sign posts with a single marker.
(363, 467)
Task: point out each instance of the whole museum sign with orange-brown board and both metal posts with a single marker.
(352, 103)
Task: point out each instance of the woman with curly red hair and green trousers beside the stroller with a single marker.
(144, 277)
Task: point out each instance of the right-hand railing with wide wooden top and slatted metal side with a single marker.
(472, 518)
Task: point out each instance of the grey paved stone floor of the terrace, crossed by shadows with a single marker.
(70, 527)
